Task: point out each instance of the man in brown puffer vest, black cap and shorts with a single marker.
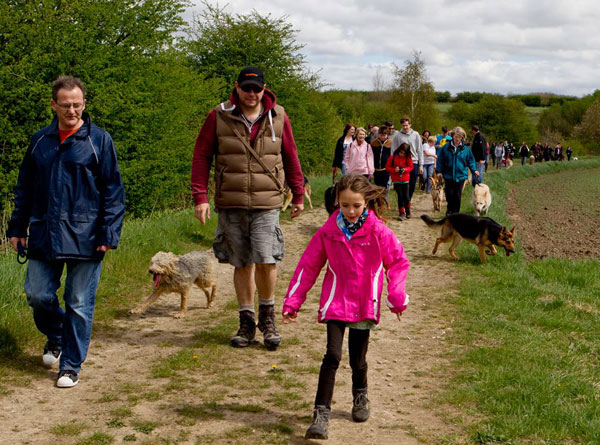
(251, 139)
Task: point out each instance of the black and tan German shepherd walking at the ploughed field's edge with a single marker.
(481, 231)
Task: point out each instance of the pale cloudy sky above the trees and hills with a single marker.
(467, 45)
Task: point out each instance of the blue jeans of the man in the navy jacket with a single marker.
(71, 328)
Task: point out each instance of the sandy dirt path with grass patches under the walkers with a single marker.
(238, 396)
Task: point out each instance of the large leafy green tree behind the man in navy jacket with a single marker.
(139, 88)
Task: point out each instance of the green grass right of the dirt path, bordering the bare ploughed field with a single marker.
(527, 339)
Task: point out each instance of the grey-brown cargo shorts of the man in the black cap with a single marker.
(246, 237)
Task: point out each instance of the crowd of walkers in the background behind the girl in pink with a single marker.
(395, 159)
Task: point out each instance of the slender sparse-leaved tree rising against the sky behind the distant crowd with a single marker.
(414, 93)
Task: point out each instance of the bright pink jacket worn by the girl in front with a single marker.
(353, 282)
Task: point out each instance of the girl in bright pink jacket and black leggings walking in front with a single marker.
(359, 250)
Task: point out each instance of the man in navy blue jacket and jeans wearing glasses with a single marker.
(69, 208)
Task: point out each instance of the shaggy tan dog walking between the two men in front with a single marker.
(172, 273)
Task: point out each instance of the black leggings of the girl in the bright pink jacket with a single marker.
(358, 343)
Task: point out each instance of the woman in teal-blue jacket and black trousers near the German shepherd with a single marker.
(453, 164)
